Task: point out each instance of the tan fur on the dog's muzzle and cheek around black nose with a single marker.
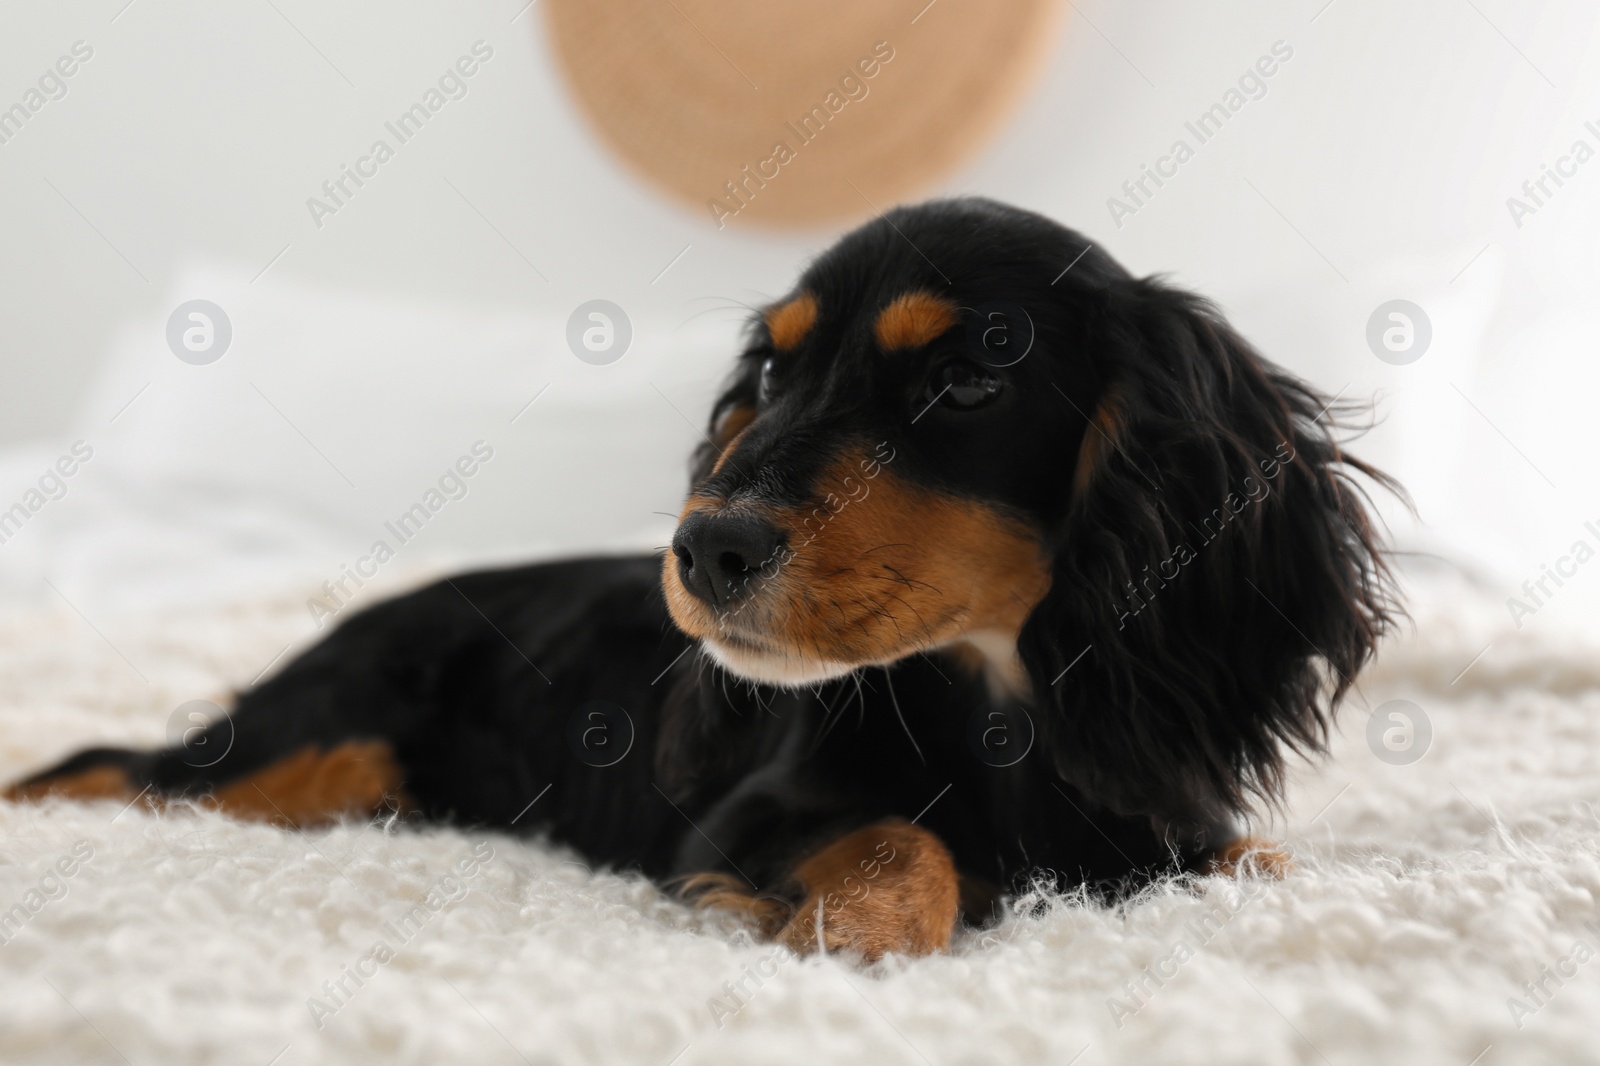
(879, 569)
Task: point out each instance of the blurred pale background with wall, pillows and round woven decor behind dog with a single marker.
(359, 337)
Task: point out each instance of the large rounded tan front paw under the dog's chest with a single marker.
(890, 888)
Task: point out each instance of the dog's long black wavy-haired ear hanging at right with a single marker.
(1218, 572)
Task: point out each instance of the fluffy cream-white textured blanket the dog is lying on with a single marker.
(1425, 899)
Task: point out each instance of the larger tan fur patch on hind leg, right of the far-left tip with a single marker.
(316, 787)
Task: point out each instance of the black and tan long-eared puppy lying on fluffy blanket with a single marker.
(999, 566)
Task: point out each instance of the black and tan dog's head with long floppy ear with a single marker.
(970, 430)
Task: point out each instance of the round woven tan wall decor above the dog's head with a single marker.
(798, 113)
